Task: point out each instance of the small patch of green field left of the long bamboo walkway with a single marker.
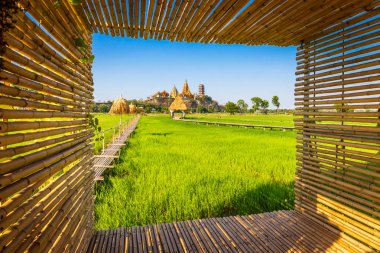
(107, 121)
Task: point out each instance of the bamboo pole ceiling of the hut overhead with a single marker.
(275, 22)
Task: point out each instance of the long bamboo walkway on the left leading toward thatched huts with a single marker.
(106, 158)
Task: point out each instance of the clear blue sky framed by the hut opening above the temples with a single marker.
(137, 68)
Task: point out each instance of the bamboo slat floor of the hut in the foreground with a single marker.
(281, 231)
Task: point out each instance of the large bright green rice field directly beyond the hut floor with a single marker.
(175, 171)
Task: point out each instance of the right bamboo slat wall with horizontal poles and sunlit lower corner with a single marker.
(337, 98)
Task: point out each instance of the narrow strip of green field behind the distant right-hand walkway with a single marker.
(255, 119)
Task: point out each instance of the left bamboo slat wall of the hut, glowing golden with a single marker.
(46, 185)
